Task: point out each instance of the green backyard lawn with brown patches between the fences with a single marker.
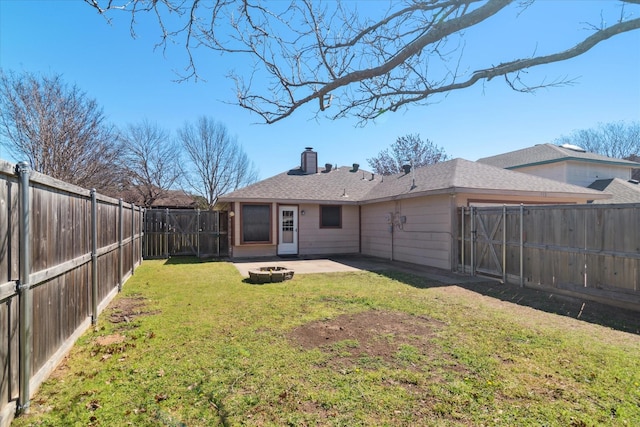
(191, 343)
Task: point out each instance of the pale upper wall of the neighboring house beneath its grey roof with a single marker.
(578, 173)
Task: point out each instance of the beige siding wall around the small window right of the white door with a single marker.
(313, 240)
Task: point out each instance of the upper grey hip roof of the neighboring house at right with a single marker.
(549, 153)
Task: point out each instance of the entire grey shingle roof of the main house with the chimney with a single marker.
(345, 186)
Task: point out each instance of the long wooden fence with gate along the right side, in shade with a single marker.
(591, 251)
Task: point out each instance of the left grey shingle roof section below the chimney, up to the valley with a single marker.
(341, 185)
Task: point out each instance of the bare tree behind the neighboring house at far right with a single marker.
(617, 139)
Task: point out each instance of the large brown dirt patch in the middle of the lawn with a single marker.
(389, 337)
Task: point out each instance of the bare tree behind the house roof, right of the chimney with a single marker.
(409, 149)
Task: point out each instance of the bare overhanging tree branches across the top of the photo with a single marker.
(347, 62)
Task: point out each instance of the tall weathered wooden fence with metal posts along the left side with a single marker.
(64, 254)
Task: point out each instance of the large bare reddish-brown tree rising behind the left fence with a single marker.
(60, 130)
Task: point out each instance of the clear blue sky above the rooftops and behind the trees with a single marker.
(132, 81)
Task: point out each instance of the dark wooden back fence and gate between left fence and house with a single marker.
(185, 232)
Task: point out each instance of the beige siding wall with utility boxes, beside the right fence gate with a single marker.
(418, 231)
